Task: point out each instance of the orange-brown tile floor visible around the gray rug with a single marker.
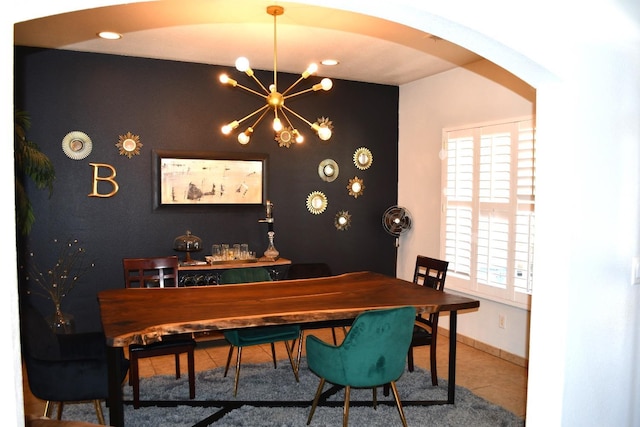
(490, 377)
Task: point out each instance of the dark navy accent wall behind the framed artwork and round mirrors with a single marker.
(181, 106)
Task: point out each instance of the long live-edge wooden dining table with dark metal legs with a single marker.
(146, 315)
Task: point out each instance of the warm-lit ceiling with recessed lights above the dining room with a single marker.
(218, 31)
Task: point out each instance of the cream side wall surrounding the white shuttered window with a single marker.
(458, 97)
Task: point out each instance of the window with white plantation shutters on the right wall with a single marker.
(488, 209)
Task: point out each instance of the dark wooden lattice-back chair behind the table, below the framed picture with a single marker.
(158, 272)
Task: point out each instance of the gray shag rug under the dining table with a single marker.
(262, 382)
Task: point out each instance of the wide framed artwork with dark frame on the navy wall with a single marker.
(183, 178)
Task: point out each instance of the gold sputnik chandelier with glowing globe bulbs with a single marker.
(275, 100)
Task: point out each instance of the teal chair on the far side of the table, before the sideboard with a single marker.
(239, 338)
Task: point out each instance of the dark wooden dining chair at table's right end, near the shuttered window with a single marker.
(429, 272)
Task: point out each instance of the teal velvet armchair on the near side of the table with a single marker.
(372, 354)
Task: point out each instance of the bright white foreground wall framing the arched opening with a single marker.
(583, 59)
